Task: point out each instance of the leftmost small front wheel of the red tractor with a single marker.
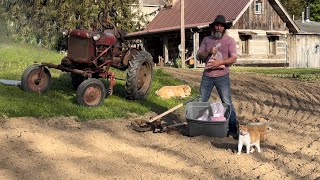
(33, 80)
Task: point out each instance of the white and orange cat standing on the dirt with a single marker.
(248, 138)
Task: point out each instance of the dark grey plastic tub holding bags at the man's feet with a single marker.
(194, 110)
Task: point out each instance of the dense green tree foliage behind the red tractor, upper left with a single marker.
(41, 21)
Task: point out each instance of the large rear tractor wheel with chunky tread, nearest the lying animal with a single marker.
(139, 75)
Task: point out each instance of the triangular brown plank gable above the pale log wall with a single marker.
(267, 20)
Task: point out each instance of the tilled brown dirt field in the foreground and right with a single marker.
(64, 148)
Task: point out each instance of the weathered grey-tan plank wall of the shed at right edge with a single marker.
(304, 51)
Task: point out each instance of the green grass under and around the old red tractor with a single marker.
(60, 98)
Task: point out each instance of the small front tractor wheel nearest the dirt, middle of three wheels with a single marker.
(91, 93)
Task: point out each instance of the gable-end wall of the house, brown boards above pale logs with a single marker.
(259, 42)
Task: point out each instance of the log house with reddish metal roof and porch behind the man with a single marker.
(260, 28)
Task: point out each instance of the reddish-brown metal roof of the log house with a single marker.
(197, 13)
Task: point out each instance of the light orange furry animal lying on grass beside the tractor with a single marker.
(167, 92)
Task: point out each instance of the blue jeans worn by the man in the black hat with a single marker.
(222, 85)
